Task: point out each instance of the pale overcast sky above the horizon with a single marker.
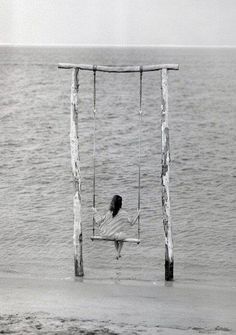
(118, 22)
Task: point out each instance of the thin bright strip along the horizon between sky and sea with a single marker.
(120, 45)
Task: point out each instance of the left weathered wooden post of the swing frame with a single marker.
(75, 163)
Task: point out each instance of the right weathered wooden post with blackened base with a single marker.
(165, 174)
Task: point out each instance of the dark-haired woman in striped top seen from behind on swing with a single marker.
(114, 222)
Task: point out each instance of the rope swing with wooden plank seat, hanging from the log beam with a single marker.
(103, 238)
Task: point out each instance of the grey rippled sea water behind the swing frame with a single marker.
(36, 187)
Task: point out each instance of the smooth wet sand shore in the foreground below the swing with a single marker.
(88, 307)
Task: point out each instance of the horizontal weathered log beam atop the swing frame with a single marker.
(119, 68)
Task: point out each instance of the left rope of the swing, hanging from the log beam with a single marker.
(94, 142)
